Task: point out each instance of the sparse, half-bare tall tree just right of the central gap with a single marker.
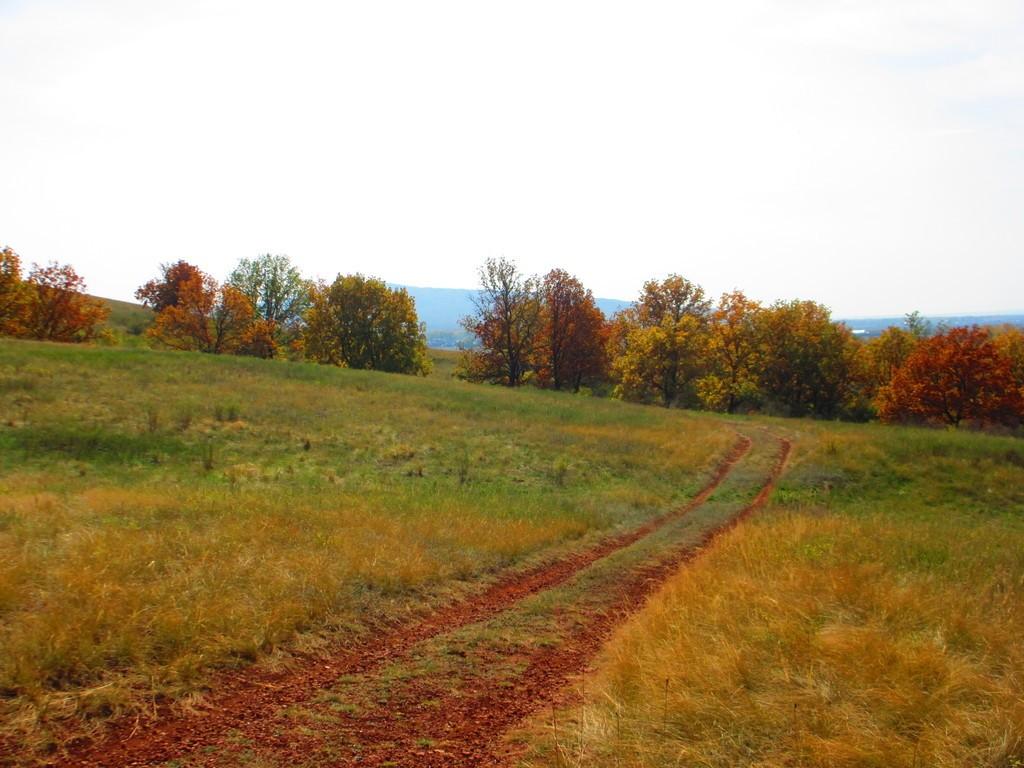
(506, 325)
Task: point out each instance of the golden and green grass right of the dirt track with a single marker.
(873, 619)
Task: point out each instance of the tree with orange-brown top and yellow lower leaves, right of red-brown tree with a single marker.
(659, 344)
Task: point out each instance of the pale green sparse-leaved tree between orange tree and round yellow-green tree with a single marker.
(276, 289)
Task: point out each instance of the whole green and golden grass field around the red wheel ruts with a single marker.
(166, 516)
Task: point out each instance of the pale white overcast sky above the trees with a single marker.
(865, 154)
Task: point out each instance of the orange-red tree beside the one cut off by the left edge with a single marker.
(58, 308)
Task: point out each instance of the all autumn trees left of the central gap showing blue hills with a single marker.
(265, 309)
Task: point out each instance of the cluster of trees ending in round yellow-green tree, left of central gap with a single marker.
(267, 309)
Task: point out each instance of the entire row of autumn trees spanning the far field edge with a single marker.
(673, 347)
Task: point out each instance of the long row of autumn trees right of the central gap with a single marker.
(676, 348)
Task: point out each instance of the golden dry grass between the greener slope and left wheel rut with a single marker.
(111, 589)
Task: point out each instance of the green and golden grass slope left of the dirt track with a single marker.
(162, 514)
